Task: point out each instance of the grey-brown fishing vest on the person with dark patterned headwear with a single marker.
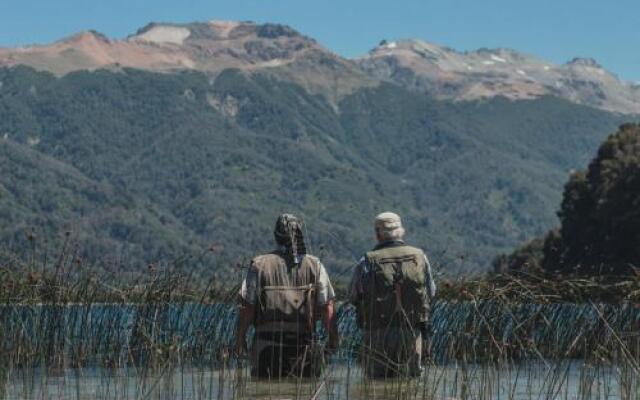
(287, 296)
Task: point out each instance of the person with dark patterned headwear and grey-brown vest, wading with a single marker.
(283, 295)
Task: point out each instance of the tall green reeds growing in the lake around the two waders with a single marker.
(66, 332)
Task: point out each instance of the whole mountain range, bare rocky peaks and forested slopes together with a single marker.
(188, 137)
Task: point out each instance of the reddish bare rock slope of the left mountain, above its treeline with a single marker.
(209, 47)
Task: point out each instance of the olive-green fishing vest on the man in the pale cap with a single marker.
(394, 287)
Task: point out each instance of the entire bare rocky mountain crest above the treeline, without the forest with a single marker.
(440, 71)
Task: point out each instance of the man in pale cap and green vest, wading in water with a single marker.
(391, 287)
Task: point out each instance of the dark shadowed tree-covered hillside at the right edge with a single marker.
(599, 215)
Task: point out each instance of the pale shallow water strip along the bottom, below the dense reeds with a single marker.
(533, 380)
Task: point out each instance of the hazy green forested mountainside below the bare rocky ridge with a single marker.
(135, 167)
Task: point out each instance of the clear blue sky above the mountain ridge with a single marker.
(557, 30)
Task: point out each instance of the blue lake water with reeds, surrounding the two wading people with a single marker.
(187, 343)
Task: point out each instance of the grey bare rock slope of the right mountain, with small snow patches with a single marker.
(484, 73)
